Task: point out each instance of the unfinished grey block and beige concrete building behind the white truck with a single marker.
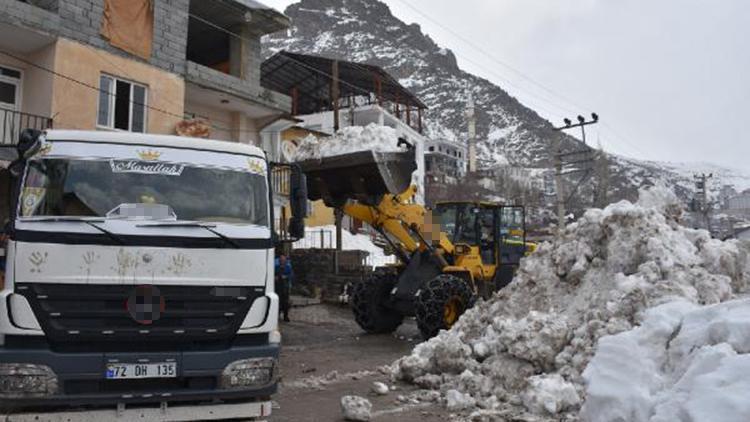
(137, 65)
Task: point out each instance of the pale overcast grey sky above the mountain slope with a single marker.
(670, 79)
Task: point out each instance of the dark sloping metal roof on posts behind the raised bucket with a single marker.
(311, 76)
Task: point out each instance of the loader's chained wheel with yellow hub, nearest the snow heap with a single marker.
(441, 302)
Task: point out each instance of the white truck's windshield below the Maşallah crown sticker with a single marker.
(91, 188)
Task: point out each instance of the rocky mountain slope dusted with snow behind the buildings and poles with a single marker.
(367, 31)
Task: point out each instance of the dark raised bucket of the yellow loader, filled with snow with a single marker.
(364, 176)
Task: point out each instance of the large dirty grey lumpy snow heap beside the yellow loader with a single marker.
(528, 346)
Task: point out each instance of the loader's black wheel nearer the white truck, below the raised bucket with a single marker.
(368, 303)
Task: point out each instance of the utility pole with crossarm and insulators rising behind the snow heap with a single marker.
(559, 163)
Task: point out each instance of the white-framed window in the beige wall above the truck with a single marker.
(122, 104)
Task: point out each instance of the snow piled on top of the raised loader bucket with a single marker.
(372, 137)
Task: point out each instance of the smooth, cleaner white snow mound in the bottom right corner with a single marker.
(683, 363)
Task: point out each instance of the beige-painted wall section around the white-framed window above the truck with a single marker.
(75, 106)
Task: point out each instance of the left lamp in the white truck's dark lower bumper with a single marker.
(22, 380)
